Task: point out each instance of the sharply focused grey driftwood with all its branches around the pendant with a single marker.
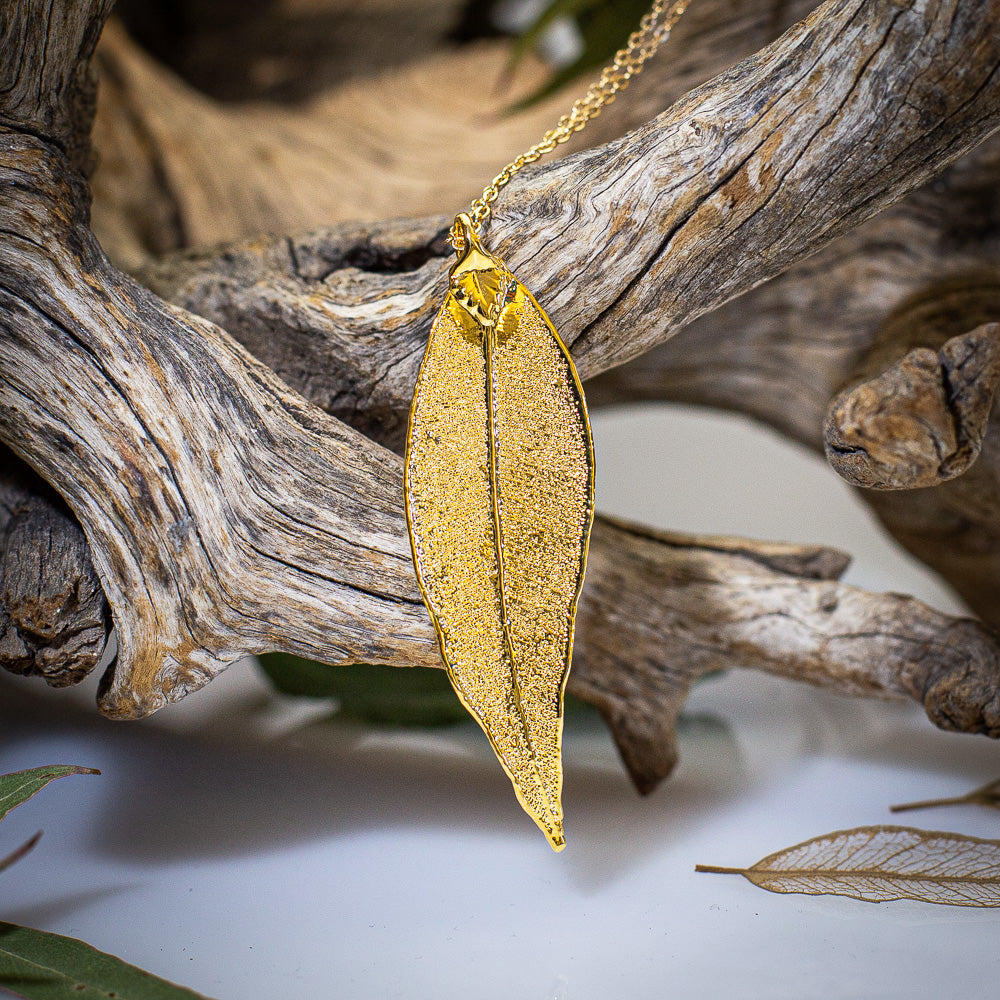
(227, 515)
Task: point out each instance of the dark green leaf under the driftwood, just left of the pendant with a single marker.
(371, 692)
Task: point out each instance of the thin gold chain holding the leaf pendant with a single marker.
(653, 30)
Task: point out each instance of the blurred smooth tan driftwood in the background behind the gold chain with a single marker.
(177, 169)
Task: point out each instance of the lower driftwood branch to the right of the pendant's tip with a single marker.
(712, 603)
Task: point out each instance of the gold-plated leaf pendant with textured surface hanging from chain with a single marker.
(499, 483)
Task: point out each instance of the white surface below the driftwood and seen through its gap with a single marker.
(241, 849)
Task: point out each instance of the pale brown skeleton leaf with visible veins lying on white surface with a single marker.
(881, 863)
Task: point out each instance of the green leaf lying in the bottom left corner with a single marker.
(41, 966)
